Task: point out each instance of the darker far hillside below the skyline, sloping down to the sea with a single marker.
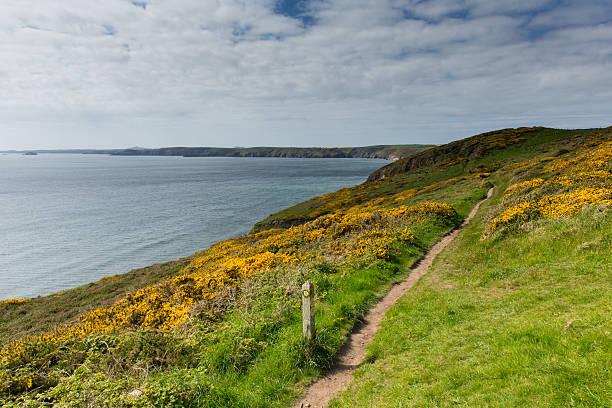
(480, 154)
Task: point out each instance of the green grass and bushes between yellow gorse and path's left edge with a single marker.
(251, 356)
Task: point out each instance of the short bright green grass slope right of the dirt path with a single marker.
(520, 320)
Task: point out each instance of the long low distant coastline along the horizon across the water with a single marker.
(387, 152)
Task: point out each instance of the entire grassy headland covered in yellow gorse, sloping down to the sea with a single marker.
(222, 328)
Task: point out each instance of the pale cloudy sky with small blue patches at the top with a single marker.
(122, 73)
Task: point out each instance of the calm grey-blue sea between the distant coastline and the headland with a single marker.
(66, 220)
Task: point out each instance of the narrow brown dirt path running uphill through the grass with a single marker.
(351, 355)
